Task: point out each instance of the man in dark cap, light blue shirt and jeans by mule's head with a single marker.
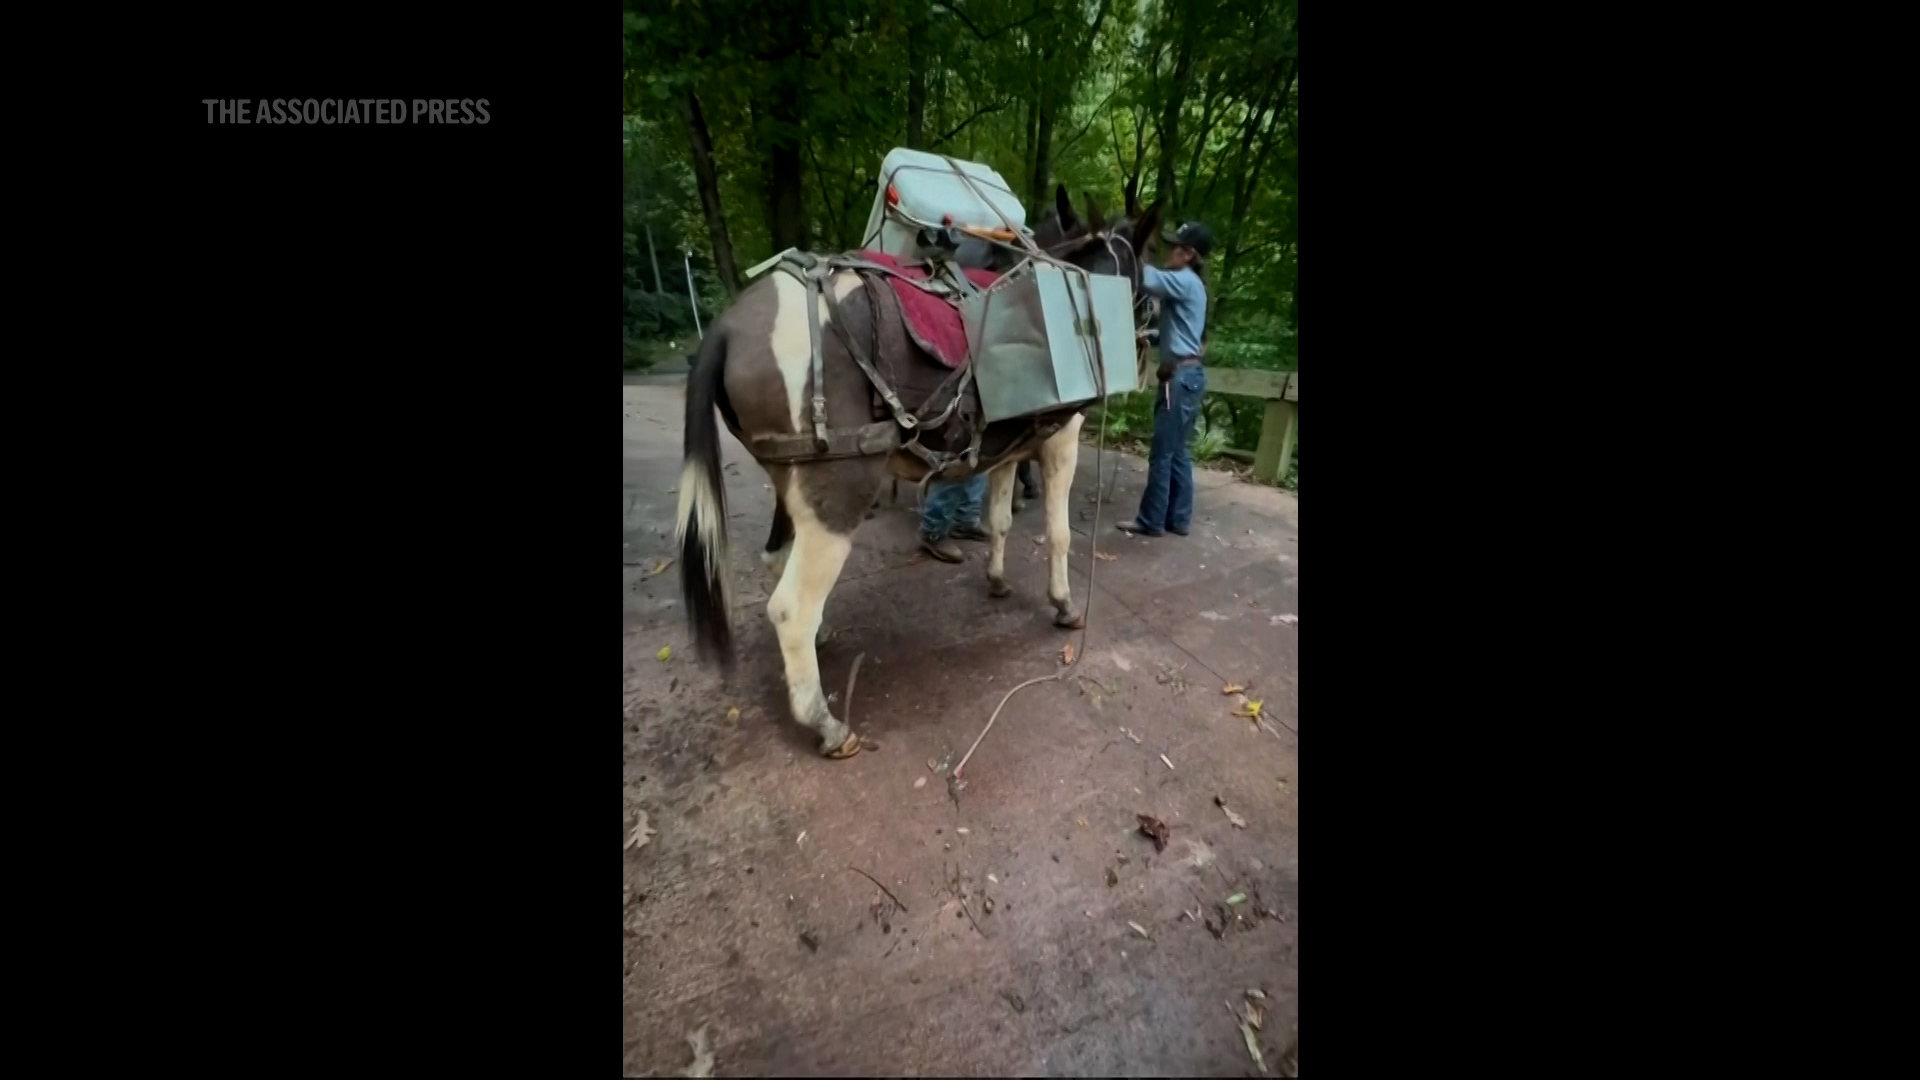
(1168, 503)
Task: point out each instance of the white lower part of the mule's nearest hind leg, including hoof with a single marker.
(800, 599)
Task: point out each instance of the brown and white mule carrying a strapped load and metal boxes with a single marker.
(756, 368)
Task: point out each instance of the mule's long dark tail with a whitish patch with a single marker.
(700, 531)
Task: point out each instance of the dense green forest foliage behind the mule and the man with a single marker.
(840, 82)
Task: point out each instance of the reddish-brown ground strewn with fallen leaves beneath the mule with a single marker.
(742, 912)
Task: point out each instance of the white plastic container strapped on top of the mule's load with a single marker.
(930, 191)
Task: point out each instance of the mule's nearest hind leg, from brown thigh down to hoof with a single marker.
(825, 503)
